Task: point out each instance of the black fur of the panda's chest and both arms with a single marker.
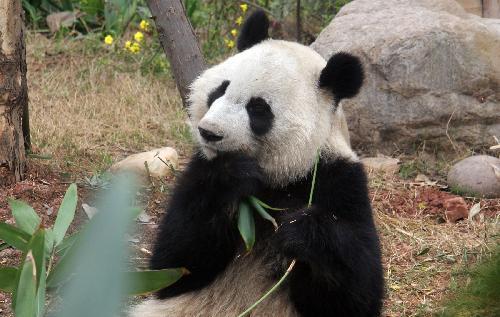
(338, 271)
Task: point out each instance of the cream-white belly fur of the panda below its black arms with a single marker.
(241, 284)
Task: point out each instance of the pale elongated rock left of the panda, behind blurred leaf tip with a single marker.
(160, 163)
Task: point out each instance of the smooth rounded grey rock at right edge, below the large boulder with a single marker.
(476, 175)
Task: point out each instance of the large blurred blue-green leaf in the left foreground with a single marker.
(98, 286)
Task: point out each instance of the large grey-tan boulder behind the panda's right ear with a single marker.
(432, 73)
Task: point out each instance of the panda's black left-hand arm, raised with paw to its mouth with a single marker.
(198, 231)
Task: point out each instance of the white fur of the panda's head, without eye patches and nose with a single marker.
(286, 75)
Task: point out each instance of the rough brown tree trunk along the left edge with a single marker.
(13, 92)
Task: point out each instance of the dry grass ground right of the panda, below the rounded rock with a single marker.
(425, 258)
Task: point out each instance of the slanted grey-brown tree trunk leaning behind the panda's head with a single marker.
(178, 41)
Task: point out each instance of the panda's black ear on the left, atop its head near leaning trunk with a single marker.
(254, 30)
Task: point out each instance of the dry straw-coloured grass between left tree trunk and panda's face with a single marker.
(86, 110)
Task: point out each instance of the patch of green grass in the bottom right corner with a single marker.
(481, 297)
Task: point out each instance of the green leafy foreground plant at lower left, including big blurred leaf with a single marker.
(88, 262)
